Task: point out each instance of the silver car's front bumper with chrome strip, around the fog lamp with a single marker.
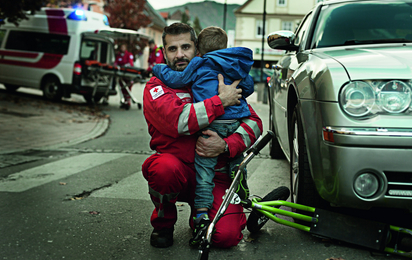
(391, 164)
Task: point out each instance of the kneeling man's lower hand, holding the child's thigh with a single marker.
(210, 147)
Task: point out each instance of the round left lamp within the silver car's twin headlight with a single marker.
(357, 98)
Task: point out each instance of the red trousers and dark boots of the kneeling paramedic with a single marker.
(171, 180)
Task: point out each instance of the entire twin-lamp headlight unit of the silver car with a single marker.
(363, 98)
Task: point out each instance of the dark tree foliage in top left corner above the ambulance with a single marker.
(13, 11)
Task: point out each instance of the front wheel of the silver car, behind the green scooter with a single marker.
(302, 187)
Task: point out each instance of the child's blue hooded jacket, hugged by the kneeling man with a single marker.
(233, 63)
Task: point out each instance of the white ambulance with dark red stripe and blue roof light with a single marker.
(48, 52)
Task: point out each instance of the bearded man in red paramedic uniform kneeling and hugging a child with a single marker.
(173, 121)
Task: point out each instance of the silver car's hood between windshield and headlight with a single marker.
(386, 62)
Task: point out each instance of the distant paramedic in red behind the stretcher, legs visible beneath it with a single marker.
(125, 59)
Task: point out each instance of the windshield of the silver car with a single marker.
(363, 23)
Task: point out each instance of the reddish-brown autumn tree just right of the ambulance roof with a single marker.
(127, 14)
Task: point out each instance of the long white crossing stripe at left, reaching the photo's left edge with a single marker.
(30, 178)
